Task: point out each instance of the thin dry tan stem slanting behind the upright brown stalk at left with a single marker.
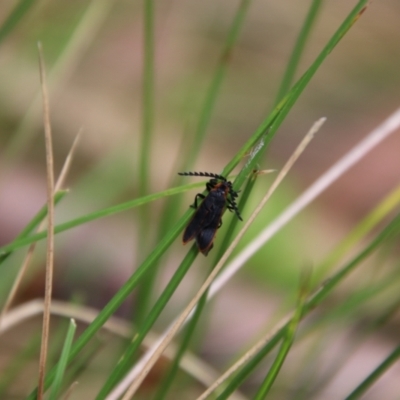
(28, 257)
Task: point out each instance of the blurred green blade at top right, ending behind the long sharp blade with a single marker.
(298, 49)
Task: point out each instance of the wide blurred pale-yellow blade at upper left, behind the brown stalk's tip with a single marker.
(83, 35)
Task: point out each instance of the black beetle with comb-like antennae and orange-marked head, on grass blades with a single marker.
(208, 216)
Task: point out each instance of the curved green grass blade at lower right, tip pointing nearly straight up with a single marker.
(288, 339)
